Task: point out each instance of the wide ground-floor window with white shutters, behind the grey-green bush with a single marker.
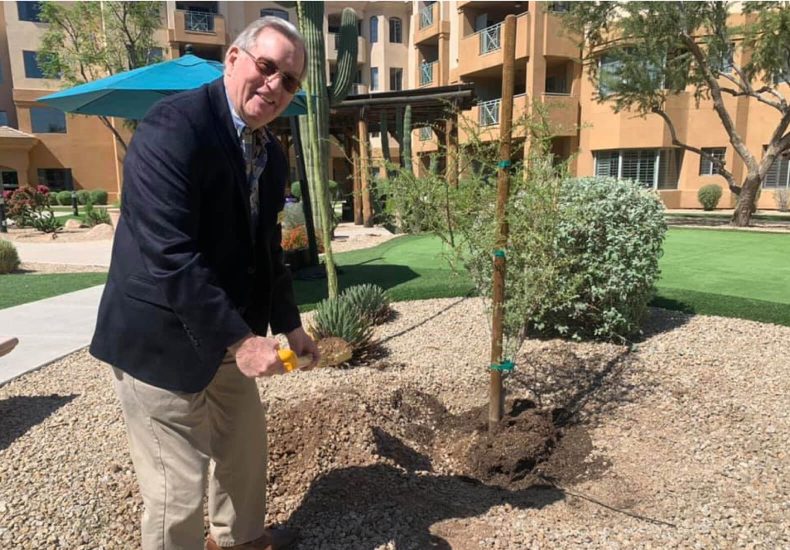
(654, 168)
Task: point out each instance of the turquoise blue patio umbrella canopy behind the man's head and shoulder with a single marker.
(130, 94)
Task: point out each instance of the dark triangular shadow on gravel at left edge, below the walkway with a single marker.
(20, 413)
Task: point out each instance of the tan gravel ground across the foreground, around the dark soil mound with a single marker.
(687, 441)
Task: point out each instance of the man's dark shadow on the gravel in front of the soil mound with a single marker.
(365, 507)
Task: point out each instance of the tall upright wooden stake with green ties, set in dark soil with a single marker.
(496, 406)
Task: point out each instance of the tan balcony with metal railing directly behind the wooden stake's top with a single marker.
(482, 50)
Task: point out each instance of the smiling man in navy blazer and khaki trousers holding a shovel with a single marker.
(196, 279)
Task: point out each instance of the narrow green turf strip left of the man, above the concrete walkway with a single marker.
(21, 288)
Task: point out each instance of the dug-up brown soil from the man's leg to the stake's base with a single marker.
(345, 443)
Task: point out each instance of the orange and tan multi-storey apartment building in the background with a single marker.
(407, 44)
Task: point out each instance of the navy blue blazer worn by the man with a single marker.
(187, 279)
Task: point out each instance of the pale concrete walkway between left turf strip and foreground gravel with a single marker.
(48, 330)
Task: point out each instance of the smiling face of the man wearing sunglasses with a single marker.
(258, 99)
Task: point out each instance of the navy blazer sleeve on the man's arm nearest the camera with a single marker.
(162, 202)
